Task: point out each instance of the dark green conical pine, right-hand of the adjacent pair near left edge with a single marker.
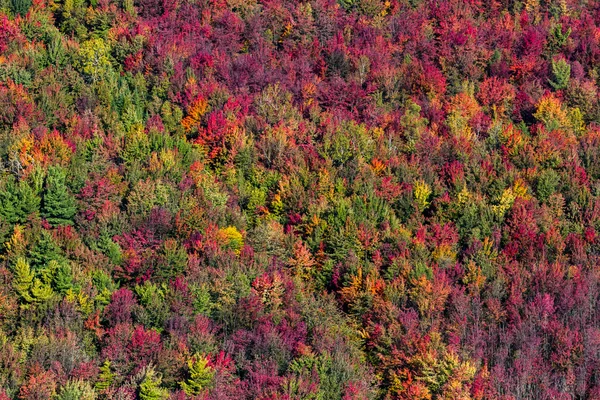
(59, 205)
